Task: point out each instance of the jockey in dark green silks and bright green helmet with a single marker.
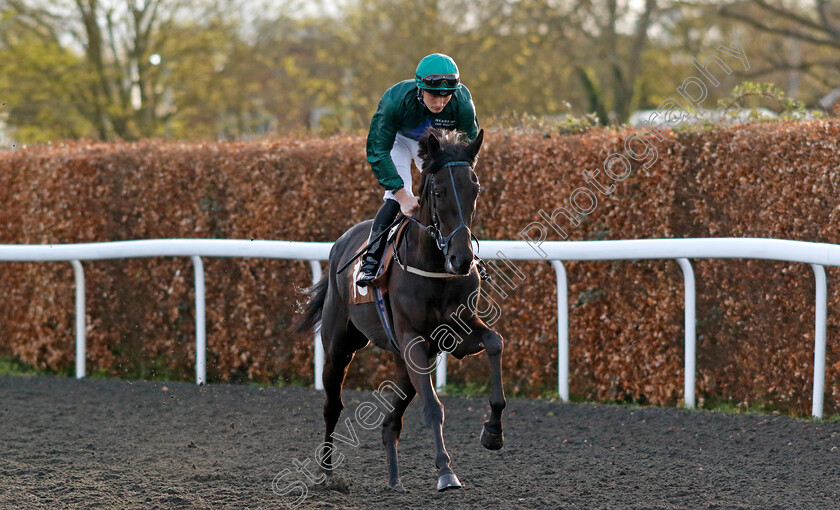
(436, 98)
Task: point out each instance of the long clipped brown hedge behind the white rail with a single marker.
(755, 318)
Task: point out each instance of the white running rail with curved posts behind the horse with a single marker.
(816, 254)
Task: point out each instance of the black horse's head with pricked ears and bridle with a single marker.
(448, 193)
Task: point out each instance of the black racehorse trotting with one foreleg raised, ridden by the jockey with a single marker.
(431, 294)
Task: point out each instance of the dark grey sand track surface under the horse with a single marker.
(67, 443)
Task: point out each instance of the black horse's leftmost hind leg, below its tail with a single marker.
(341, 340)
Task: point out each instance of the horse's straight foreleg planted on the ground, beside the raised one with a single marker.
(420, 366)
